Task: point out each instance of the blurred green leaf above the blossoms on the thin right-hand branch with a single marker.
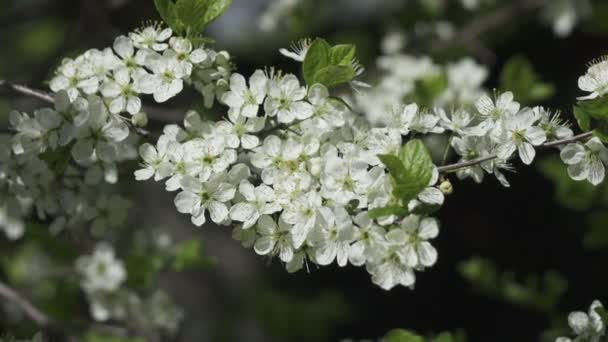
(519, 77)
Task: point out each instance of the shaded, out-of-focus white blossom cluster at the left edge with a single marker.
(57, 161)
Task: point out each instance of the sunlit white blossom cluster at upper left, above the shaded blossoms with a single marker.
(148, 61)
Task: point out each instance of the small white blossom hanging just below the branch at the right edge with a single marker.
(586, 161)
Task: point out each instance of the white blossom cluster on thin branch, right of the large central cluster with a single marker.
(502, 129)
